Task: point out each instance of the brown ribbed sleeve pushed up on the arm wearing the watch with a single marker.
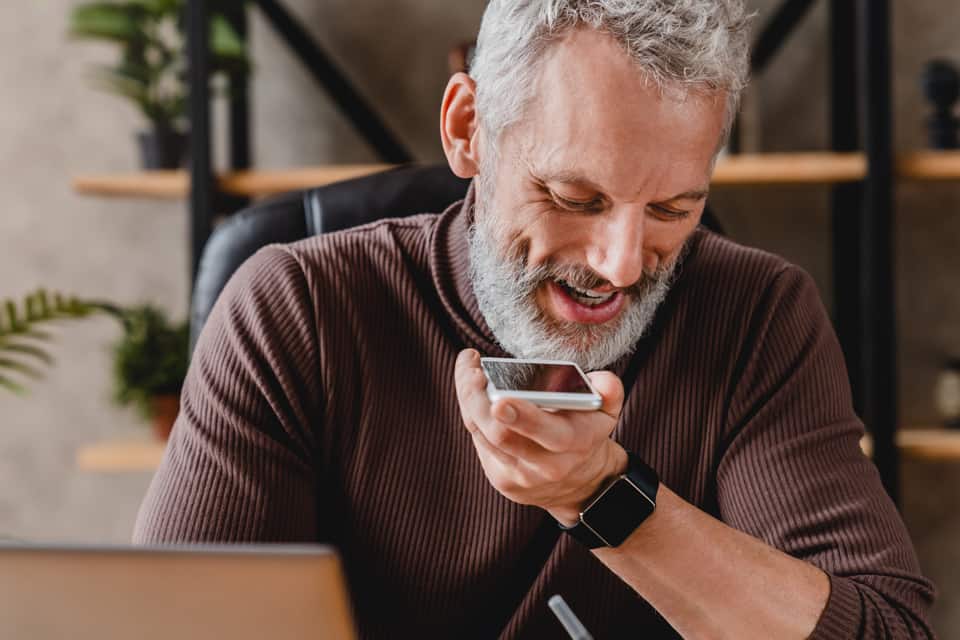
(793, 473)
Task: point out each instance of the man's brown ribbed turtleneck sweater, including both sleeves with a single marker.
(320, 407)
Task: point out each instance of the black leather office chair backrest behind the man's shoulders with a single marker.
(396, 193)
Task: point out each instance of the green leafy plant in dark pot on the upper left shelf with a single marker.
(151, 71)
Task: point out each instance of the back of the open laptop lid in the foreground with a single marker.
(186, 593)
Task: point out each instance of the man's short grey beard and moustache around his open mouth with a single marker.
(506, 286)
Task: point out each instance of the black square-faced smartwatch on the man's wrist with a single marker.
(619, 508)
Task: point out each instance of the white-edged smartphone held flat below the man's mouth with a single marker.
(551, 384)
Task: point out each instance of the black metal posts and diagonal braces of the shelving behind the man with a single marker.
(862, 213)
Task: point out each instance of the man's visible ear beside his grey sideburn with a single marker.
(460, 127)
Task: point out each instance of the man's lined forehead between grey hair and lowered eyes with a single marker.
(596, 114)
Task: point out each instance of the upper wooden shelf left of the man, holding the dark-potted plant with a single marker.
(176, 184)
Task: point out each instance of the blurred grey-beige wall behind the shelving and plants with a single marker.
(52, 126)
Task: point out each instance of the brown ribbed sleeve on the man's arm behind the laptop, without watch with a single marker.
(239, 466)
